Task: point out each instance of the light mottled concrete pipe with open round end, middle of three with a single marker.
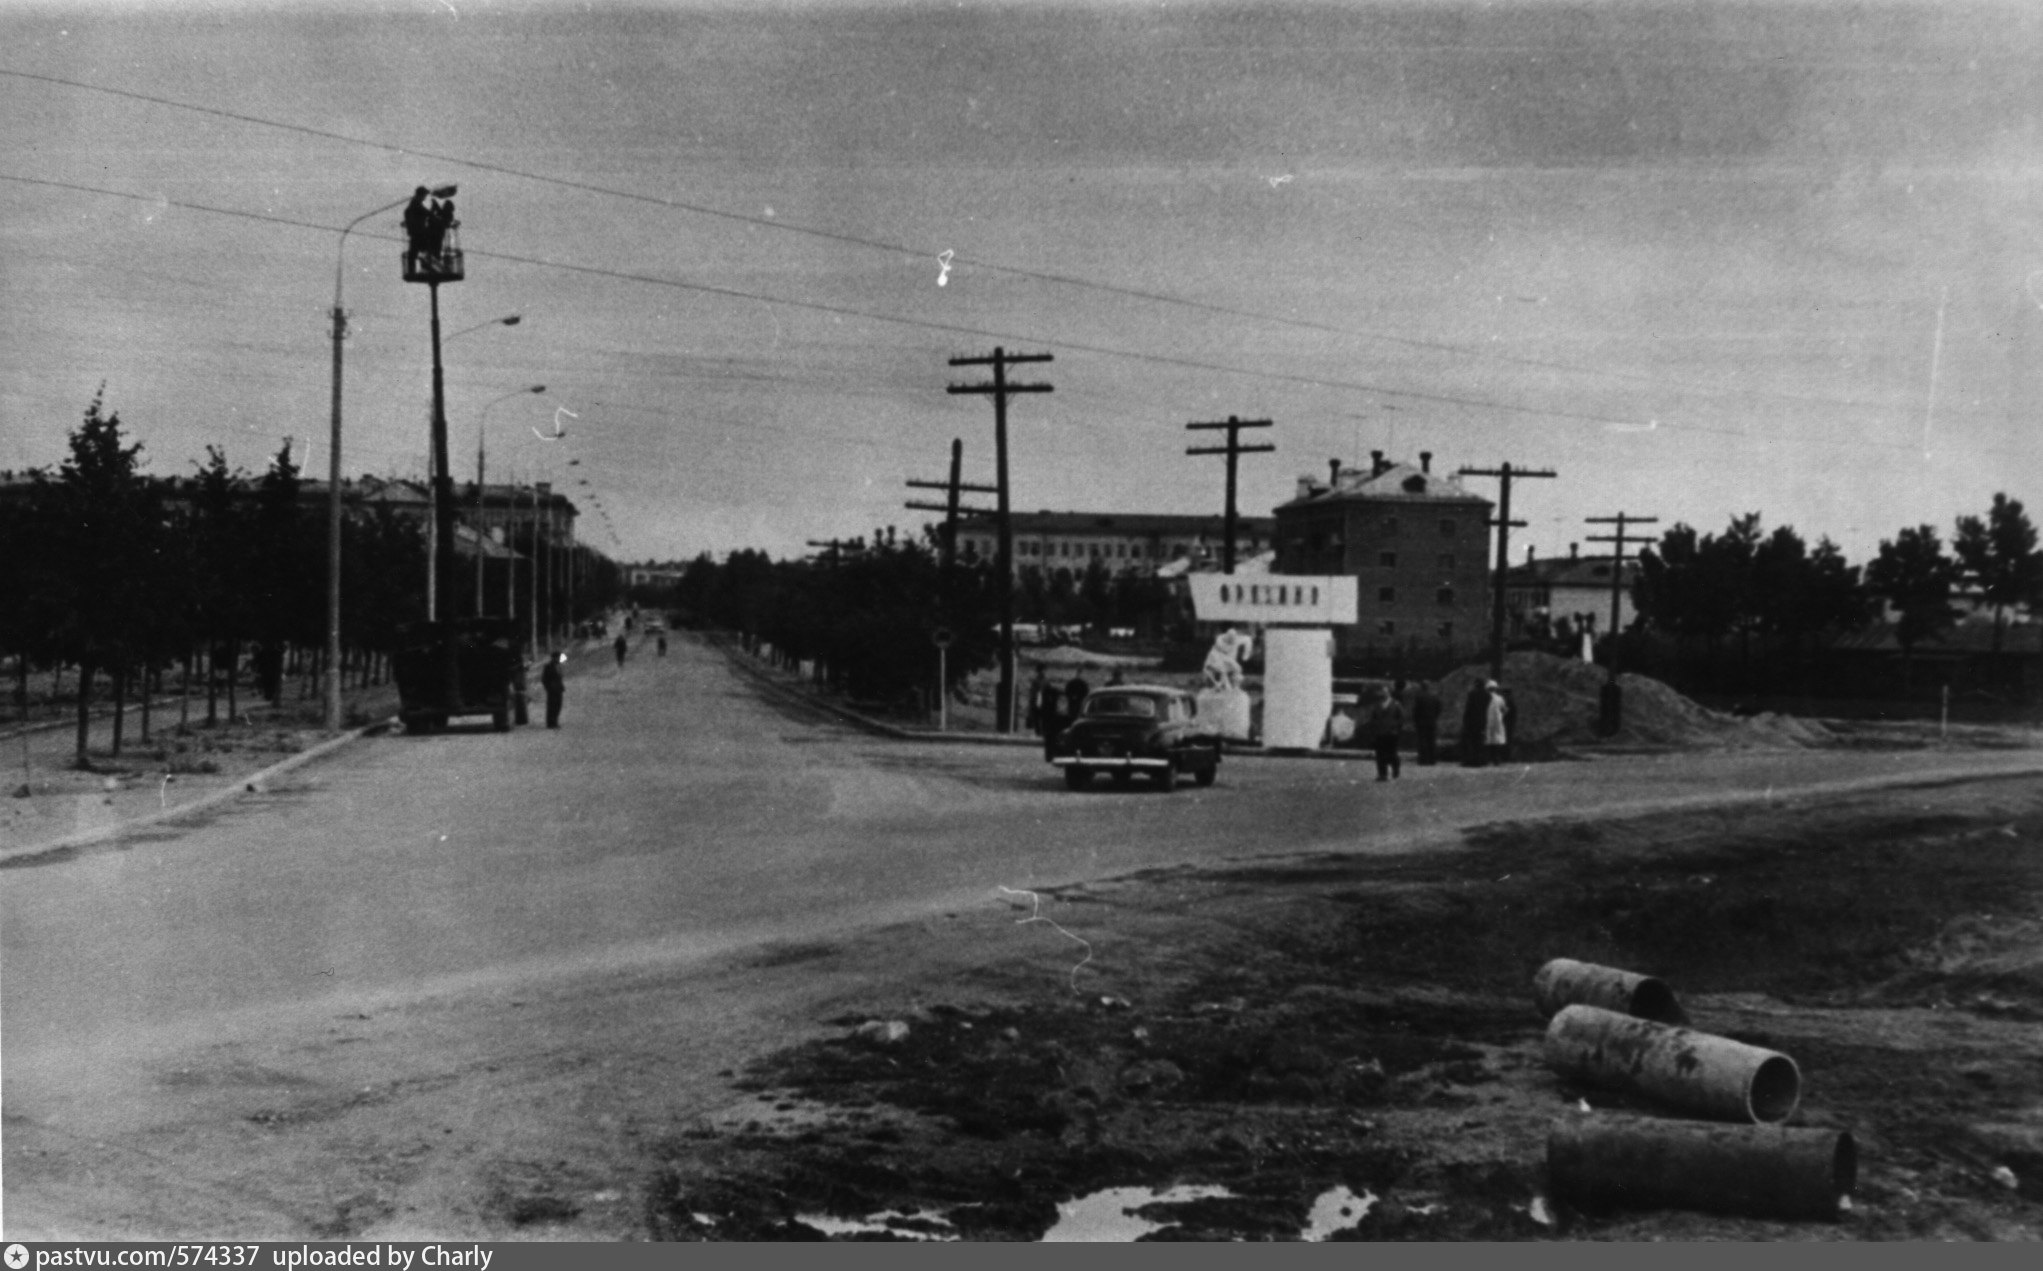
(1682, 1068)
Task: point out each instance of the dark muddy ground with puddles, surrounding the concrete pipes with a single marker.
(1264, 1037)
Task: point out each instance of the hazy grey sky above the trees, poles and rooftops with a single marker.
(1699, 261)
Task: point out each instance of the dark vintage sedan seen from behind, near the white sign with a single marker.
(1137, 728)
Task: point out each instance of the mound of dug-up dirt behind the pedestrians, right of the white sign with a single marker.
(1558, 706)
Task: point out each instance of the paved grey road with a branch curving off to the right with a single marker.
(679, 812)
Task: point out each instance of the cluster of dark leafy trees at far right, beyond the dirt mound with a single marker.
(1778, 600)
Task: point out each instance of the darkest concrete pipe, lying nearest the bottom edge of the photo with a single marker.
(1760, 1172)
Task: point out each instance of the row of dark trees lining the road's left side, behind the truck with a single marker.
(124, 575)
